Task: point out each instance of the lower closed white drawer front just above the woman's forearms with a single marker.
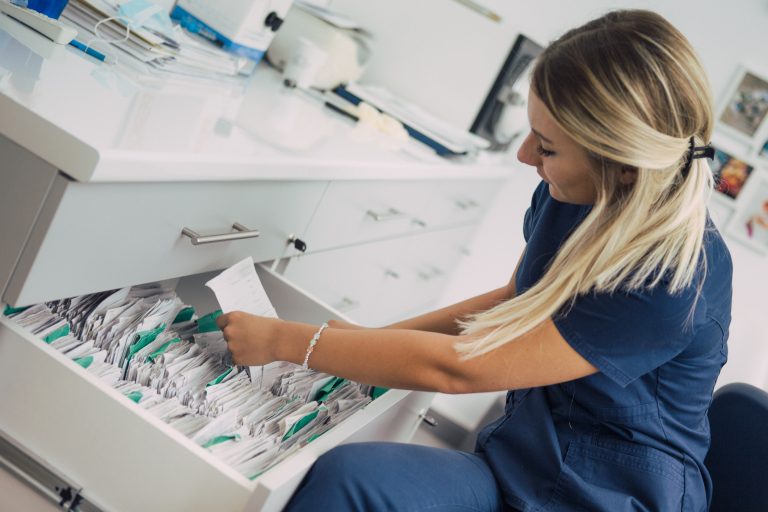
(382, 282)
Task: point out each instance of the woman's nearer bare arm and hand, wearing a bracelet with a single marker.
(406, 359)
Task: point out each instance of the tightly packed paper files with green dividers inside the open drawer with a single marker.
(147, 344)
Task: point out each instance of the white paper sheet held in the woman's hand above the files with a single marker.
(239, 289)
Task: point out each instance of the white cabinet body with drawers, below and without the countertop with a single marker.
(85, 237)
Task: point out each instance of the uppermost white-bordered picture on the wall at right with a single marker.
(745, 106)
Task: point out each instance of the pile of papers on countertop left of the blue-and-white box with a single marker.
(178, 52)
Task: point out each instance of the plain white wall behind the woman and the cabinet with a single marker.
(445, 57)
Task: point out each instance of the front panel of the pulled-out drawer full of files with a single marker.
(122, 457)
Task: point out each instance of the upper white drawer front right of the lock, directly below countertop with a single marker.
(355, 212)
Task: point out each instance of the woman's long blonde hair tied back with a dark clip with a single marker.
(630, 90)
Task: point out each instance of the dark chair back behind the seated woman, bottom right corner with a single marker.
(738, 457)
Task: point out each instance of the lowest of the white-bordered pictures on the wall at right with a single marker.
(749, 223)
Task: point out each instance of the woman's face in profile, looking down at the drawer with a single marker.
(562, 163)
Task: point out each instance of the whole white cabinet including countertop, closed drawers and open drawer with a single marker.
(94, 198)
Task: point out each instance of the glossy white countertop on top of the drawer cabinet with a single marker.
(98, 122)
